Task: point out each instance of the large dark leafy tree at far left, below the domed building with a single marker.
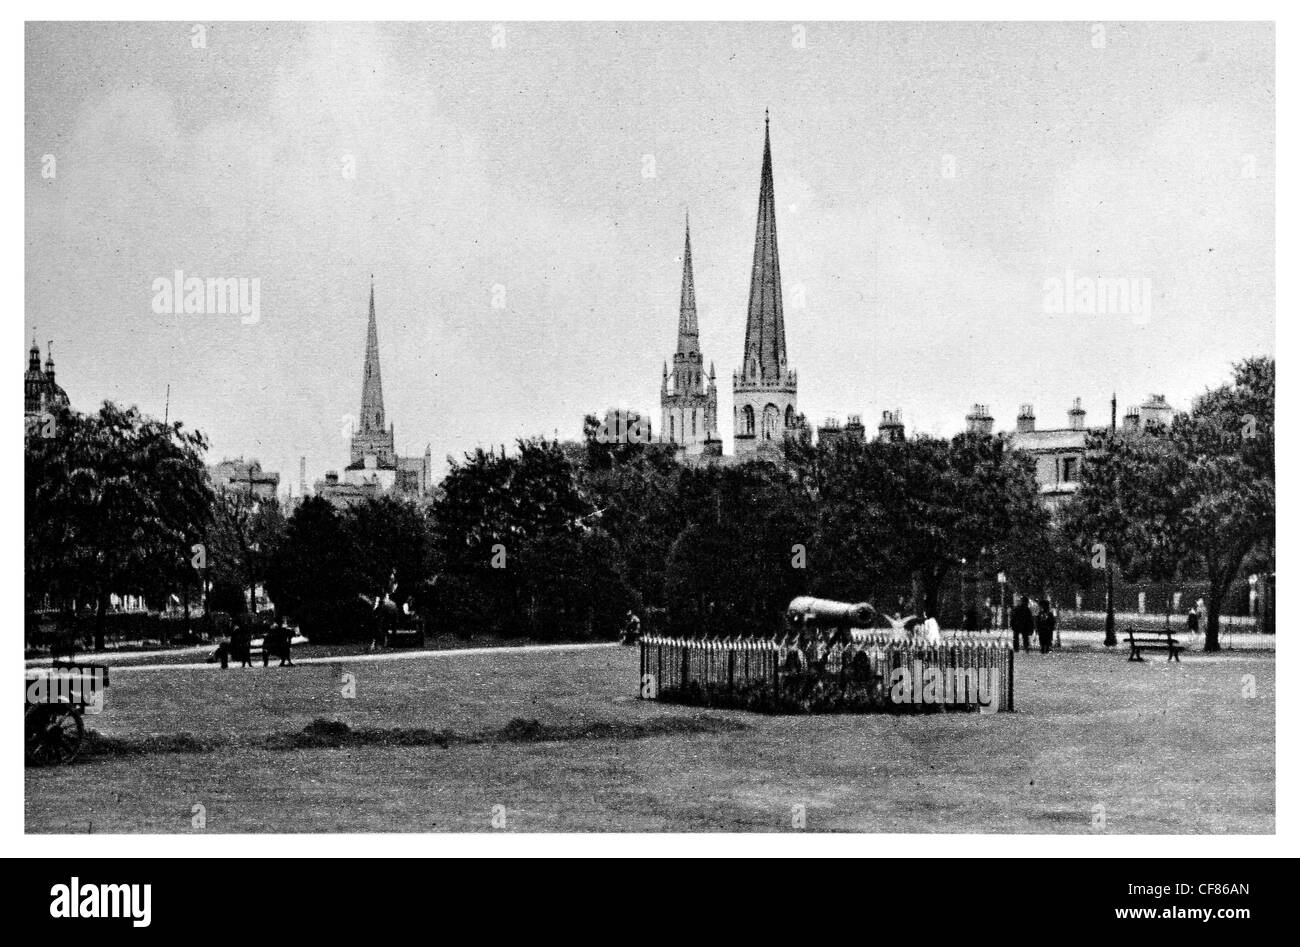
(115, 503)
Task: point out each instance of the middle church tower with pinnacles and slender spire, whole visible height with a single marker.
(688, 401)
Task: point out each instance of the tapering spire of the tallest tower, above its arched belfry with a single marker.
(765, 330)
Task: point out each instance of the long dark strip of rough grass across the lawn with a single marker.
(322, 734)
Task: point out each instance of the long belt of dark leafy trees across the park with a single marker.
(561, 540)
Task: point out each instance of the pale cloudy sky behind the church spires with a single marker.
(518, 193)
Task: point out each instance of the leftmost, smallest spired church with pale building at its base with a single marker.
(375, 469)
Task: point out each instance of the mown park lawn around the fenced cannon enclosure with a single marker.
(1163, 747)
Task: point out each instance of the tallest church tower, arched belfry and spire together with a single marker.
(765, 387)
